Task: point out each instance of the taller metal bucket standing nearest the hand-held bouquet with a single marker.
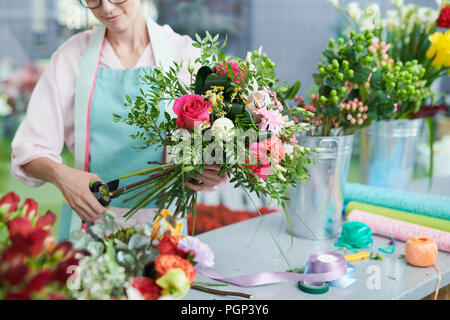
(315, 207)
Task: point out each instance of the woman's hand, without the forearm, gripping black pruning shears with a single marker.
(74, 185)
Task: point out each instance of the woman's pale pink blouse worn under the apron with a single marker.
(49, 122)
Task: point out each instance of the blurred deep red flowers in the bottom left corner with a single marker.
(32, 266)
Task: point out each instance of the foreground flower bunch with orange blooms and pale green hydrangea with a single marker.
(145, 262)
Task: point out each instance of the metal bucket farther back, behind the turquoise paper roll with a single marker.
(387, 153)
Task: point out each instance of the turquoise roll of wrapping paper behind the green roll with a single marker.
(425, 204)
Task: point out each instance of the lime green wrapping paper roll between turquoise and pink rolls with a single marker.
(418, 219)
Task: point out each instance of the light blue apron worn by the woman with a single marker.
(102, 146)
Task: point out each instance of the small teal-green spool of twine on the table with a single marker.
(355, 234)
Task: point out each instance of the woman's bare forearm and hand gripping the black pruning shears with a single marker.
(74, 185)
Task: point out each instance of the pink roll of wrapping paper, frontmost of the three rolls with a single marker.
(401, 230)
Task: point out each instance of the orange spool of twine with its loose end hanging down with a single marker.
(423, 252)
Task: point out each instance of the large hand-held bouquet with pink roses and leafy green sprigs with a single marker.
(229, 114)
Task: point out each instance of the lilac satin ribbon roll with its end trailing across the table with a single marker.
(323, 267)
